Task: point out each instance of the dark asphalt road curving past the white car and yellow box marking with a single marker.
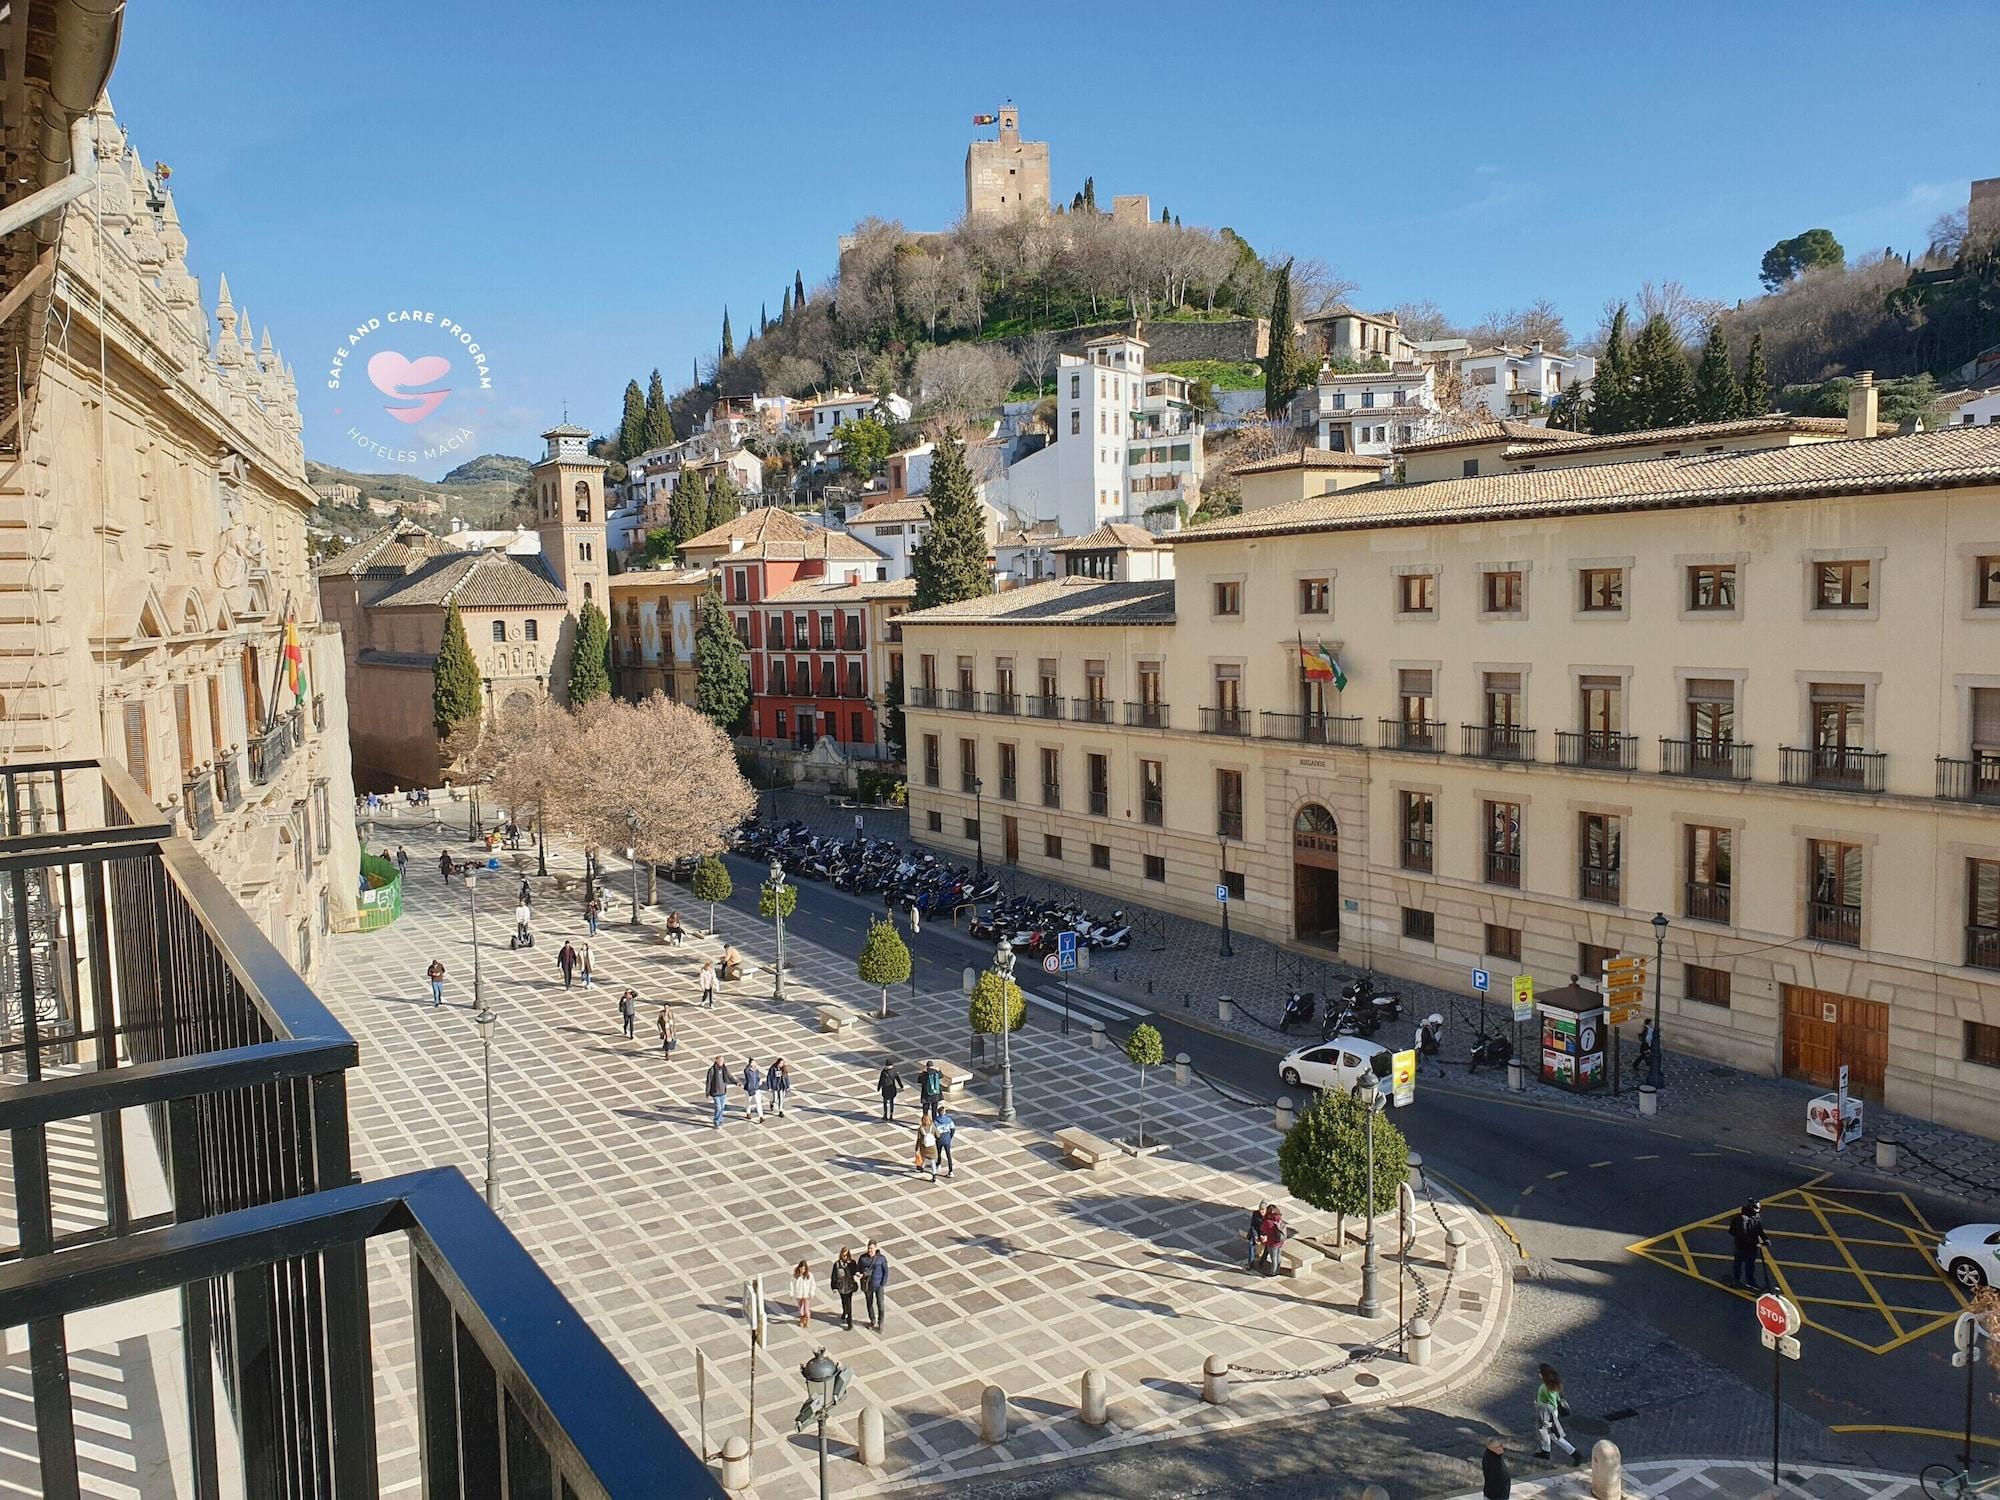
(1575, 1193)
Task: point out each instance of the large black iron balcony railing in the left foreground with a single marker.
(147, 1013)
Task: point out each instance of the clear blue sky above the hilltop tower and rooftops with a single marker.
(583, 187)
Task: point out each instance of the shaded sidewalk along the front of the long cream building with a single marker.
(1181, 973)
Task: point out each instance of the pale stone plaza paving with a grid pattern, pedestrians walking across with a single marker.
(1019, 1273)
